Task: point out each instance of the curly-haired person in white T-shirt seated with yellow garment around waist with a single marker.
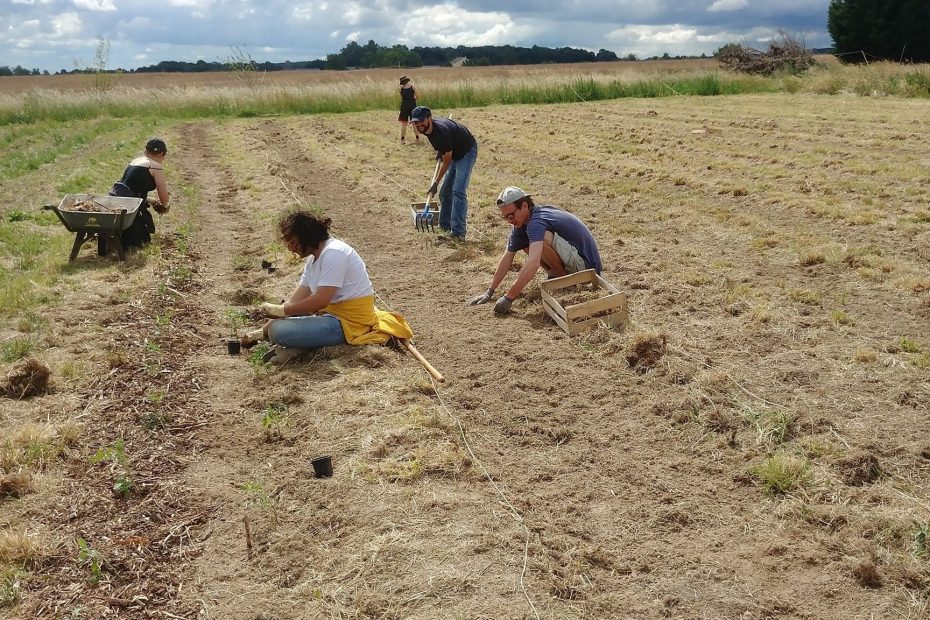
(334, 300)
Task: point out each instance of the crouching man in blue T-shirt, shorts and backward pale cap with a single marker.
(553, 239)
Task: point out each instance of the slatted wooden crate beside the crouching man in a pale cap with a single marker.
(576, 318)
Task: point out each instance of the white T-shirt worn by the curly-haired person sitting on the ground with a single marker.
(339, 265)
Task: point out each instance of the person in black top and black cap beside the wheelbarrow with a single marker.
(142, 175)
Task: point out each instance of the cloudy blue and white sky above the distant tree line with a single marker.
(64, 34)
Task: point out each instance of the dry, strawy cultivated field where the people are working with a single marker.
(752, 444)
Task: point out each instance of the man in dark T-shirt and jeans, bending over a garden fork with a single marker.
(457, 149)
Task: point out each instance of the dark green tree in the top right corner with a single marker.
(888, 30)
